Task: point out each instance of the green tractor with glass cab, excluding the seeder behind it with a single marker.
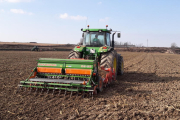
(96, 44)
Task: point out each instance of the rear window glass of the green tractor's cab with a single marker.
(94, 39)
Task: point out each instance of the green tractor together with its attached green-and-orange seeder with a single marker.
(81, 71)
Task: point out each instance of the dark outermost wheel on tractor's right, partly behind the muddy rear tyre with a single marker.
(120, 69)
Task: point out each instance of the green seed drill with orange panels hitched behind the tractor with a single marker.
(75, 75)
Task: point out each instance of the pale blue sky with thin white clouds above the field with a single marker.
(152, 23)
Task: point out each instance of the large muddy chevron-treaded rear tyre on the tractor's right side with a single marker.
(109, 60)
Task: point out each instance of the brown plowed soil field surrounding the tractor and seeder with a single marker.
(149, 89)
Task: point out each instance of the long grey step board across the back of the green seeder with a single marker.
(56, 80)
